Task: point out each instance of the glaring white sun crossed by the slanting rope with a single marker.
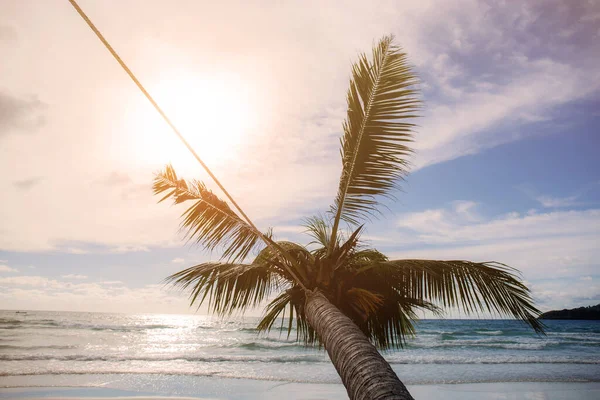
(213, 113)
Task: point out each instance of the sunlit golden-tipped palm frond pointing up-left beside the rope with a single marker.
(210, 221)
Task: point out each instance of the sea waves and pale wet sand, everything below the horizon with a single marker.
(98, 355)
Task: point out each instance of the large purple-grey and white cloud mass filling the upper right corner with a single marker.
(490, 71)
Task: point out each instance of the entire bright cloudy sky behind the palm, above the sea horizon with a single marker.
(506, 166)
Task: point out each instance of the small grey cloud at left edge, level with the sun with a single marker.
(21, 115)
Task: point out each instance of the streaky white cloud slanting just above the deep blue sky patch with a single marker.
(454, 129)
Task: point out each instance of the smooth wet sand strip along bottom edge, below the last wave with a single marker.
(247, 389)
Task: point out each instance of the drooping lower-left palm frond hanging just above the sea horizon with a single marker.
(227, 287)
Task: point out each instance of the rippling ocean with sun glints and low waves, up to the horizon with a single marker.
(44, 348)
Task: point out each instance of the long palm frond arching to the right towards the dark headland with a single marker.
(470, 286)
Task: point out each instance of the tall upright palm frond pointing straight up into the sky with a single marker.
(376, 140)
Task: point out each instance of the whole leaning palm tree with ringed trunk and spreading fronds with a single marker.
(338, 292)
